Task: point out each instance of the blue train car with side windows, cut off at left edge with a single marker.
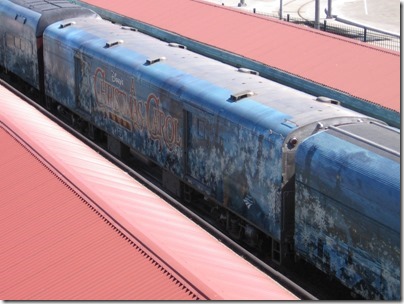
(21, 30)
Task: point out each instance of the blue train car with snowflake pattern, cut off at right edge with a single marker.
(348, 207)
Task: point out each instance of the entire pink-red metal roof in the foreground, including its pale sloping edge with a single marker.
(74, 226)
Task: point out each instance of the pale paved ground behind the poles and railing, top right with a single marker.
(379, 14)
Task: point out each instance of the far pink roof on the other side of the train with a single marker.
(360, 70)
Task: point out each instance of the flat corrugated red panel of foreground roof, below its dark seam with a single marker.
(55, 247)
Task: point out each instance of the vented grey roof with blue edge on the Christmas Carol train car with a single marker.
(209, 83)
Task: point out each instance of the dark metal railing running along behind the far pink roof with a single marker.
(348, 29)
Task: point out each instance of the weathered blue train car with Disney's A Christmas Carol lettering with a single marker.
(224, 132)
